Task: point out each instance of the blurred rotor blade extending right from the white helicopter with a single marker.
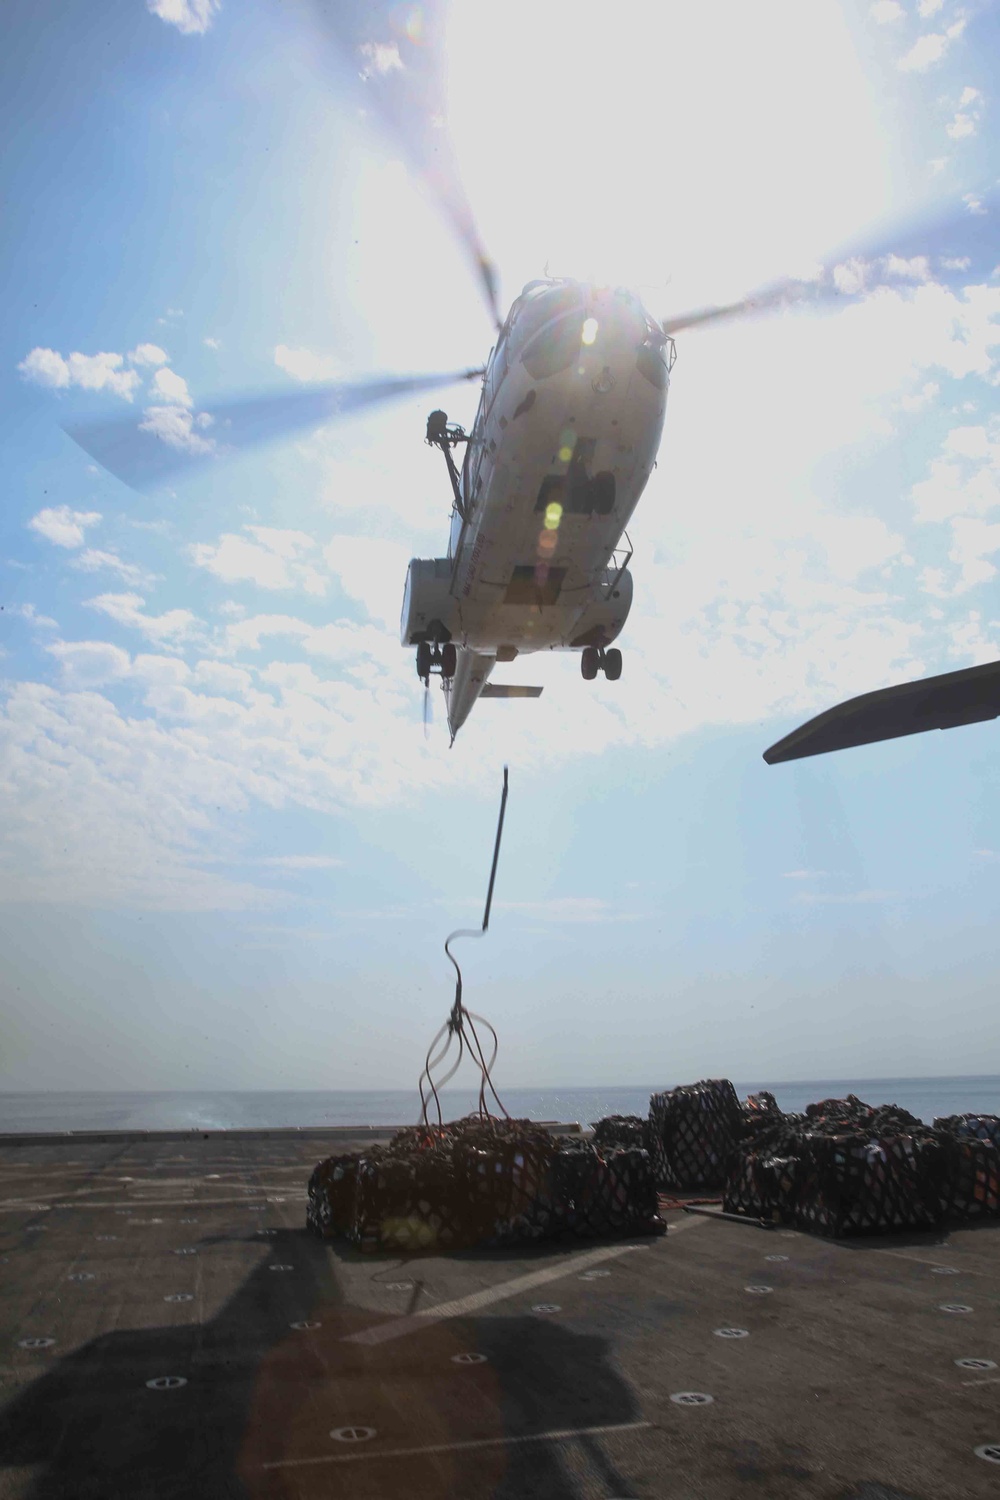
(957, 244)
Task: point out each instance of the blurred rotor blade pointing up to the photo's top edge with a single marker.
(397, 53)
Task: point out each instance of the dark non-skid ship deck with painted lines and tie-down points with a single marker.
(169, 1330)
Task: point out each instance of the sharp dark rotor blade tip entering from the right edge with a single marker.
(969, 697)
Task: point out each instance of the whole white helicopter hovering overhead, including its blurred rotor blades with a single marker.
(570, 413)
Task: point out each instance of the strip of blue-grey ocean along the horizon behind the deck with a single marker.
(238, 1111)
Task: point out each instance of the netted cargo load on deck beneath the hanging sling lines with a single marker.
(481, 1183)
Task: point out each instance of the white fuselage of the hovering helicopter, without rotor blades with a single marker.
(564, 442)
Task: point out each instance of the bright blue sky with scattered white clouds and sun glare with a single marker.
(229, 854)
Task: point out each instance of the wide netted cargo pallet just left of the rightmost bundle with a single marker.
(863, 1186)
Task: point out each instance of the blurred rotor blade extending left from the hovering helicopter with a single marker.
(166, 440)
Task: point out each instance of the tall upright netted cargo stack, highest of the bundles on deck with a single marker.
(696, 1130)
